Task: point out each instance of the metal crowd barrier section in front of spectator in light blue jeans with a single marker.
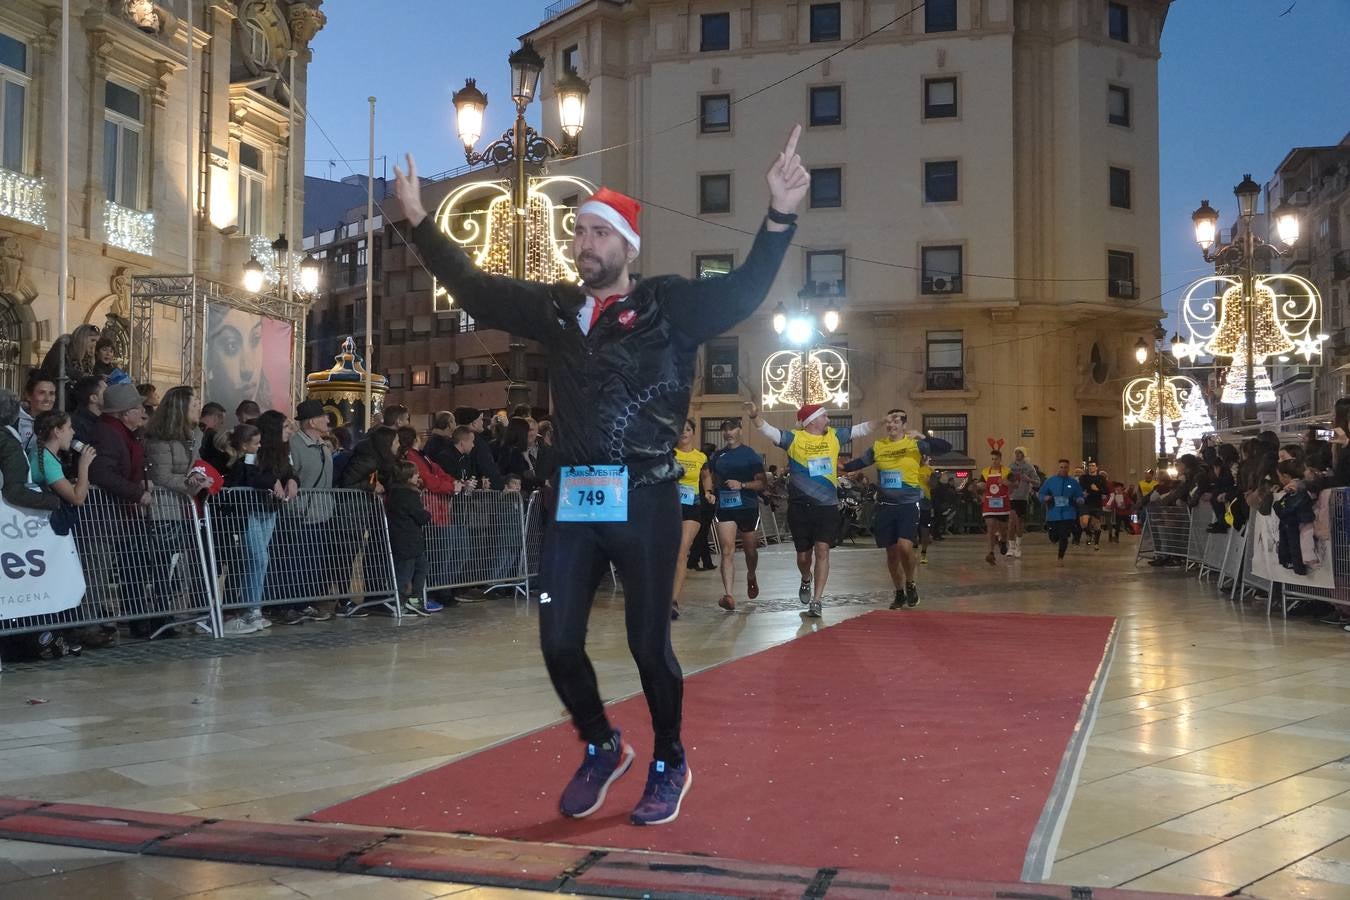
(322, 546)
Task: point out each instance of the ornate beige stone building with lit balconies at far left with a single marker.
(129, 160)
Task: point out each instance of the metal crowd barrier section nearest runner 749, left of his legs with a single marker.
(477, 539)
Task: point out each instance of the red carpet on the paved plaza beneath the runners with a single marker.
(920, 743)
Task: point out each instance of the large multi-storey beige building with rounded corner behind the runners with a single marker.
(985, 198)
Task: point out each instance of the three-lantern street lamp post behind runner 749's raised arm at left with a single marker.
(520, 148)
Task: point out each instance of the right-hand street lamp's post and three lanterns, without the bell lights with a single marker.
(1241, 254)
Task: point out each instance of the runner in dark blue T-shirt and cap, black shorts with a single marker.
(736, 474)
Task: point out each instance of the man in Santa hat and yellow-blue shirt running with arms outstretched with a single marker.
(813, 503)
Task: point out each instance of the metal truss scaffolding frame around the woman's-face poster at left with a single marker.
(190, 298)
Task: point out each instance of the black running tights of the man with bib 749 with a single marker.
(576, 558)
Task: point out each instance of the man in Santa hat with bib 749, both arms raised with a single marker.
(622, 364)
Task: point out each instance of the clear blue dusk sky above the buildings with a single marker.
(1241, 83)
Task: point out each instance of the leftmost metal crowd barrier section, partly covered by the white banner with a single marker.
(141, 563)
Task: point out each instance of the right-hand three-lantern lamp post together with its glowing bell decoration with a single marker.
(1249, 326)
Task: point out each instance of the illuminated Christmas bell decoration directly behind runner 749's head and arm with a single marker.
(479, 218)
